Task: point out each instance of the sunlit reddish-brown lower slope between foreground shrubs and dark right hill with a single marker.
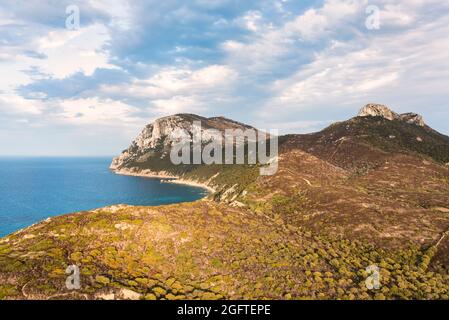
(386, 206)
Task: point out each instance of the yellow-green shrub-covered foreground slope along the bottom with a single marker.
(202, 250)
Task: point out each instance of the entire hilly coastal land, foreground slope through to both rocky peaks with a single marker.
(369, 193)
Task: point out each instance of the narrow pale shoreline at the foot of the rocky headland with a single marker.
(164, 175)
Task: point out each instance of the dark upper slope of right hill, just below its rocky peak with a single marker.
(361, 140)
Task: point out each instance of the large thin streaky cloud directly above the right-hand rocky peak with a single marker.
(403, 68)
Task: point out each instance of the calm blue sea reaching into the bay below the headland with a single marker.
(33, 189)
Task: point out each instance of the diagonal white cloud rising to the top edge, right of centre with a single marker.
(269, 45)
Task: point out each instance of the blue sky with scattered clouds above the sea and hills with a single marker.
(69, 89)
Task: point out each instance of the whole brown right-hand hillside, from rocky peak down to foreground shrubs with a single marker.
(382, 181)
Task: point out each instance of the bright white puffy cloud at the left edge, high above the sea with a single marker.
(57, 54)
